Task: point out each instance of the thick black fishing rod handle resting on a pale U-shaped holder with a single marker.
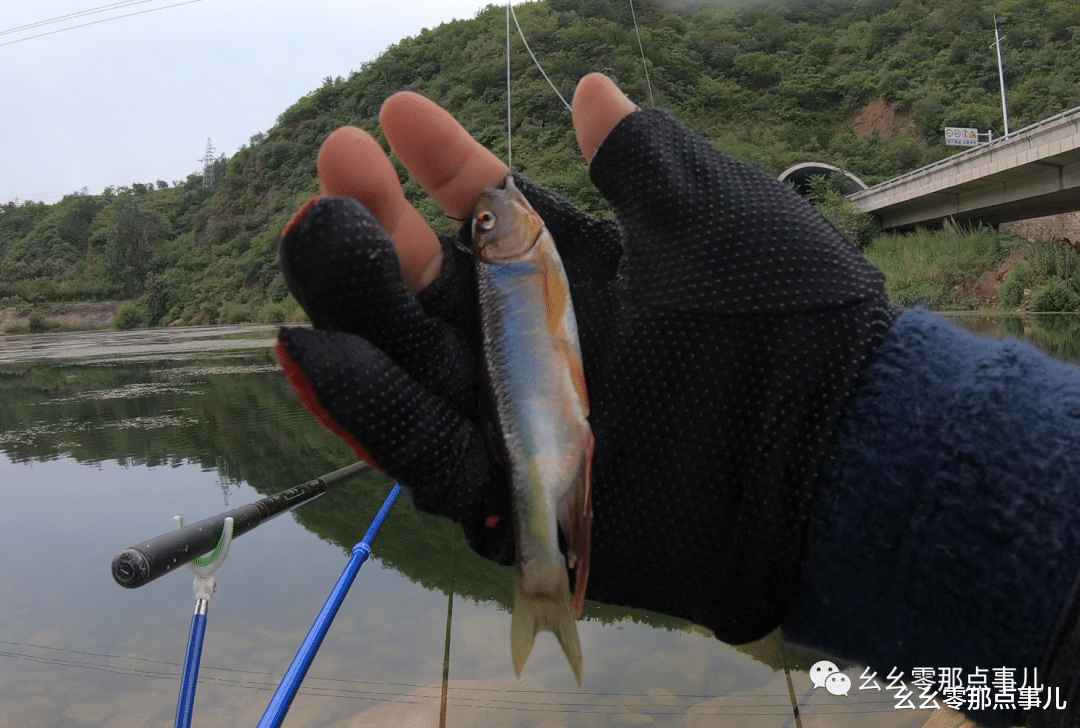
(146, 561)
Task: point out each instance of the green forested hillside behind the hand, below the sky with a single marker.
(774, 84)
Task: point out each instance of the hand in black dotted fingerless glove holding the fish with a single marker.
(724, 326)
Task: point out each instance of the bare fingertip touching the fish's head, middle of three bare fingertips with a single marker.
(440, 154)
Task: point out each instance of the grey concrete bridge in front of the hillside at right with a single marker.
(1030, 173)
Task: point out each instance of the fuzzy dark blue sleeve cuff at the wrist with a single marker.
(947, 528)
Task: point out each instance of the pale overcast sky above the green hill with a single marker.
(136, 99)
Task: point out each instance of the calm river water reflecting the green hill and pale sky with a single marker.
(104, 437)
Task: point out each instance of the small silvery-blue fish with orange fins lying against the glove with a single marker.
(537, 386)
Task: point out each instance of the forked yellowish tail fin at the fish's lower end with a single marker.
(544, 612)
